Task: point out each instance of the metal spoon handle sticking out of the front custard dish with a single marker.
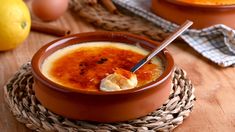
(165, 43)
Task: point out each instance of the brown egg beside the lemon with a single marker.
(48, 10)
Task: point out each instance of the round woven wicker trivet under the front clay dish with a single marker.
(22, 102)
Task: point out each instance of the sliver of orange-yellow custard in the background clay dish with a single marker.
(209, 2)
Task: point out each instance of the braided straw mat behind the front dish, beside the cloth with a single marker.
(123, 21)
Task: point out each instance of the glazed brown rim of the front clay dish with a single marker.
(37, 60)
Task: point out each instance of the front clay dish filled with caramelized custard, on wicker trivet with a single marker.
(68, 74)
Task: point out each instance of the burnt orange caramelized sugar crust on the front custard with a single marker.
(84, 68)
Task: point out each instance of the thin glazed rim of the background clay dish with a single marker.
(181, 3)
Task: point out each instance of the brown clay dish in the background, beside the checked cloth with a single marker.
(202, 15)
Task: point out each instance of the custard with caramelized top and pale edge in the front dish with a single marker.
(83, 66)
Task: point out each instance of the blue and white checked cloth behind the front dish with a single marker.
(216, 43)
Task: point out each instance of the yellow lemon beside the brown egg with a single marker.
(15, 23)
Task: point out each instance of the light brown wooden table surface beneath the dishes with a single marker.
(214, 109)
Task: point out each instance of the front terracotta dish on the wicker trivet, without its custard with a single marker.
(101, 106)
